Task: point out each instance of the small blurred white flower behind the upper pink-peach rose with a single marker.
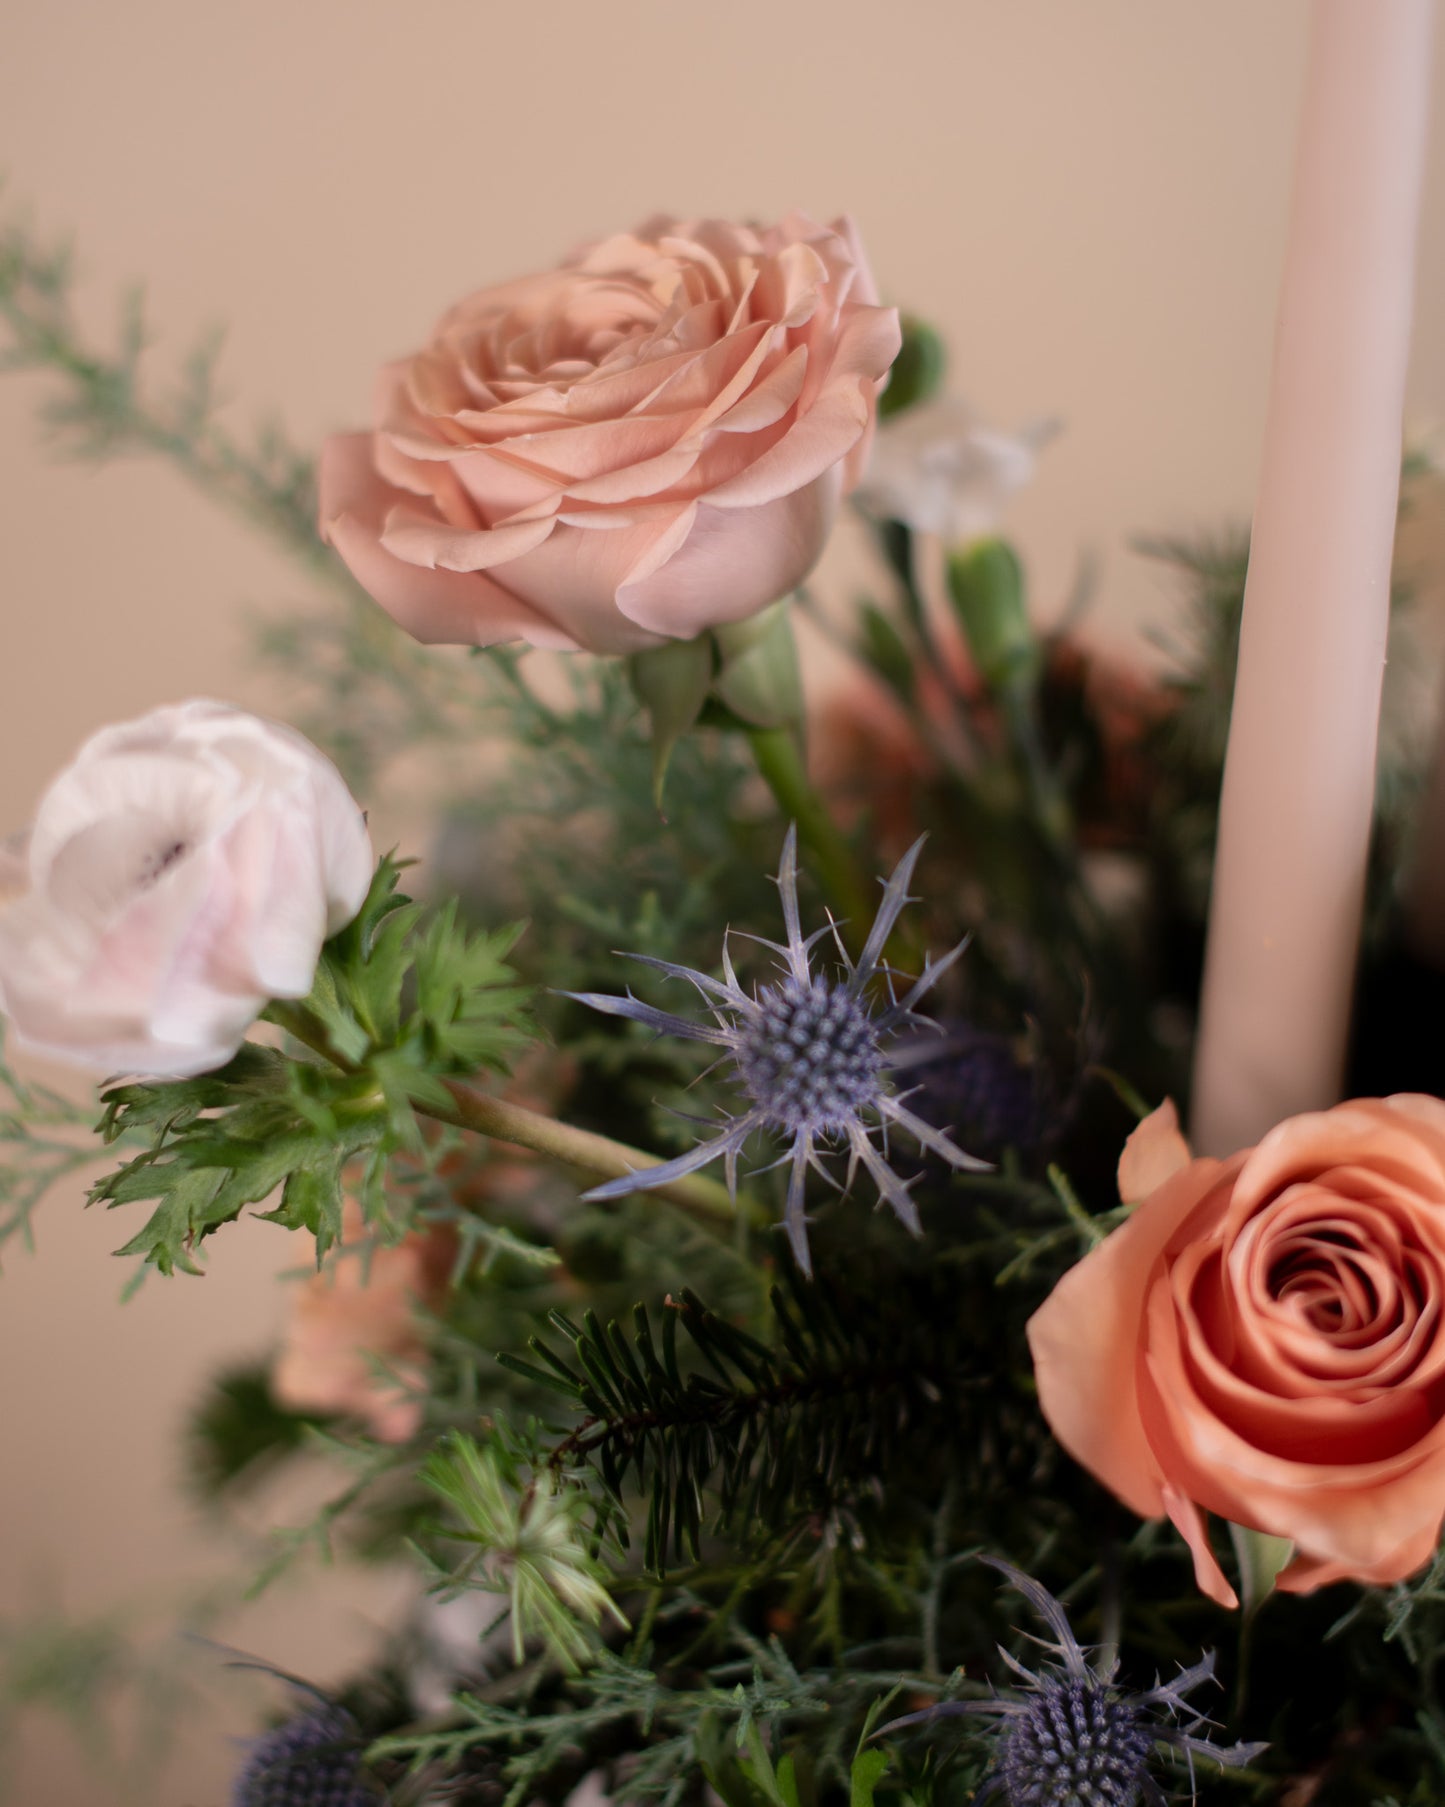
(940, 471)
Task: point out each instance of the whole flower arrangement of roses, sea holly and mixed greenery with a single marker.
(711, 1470)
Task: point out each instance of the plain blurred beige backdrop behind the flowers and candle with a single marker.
(1088, 201)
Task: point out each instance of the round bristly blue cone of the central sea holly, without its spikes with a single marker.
(810, 1060)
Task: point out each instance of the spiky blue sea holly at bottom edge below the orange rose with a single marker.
(1072, 1737)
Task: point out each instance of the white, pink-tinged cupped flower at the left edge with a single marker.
(182, 872)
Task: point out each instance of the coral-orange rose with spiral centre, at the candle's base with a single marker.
(1263, 1340)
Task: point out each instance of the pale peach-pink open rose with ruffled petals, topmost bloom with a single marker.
(633, 449)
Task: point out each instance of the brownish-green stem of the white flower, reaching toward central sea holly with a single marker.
(595, 1156)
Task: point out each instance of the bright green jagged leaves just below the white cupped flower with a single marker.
(400, 1004)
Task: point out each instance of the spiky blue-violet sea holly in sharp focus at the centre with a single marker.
(810, 1054)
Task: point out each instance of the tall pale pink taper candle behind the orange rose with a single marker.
(1300, 776)
